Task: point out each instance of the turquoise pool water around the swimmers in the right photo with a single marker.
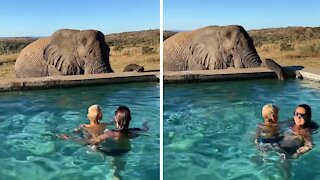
(209, 128)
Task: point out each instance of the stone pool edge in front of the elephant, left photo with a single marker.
(77, 80)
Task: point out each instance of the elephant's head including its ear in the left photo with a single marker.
(78, 52)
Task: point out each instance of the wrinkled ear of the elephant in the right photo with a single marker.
(204, 54)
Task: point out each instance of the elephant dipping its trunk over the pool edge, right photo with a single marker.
(214, 47)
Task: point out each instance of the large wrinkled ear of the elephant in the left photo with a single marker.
(61, 52)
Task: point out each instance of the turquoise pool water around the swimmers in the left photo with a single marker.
(29, 120)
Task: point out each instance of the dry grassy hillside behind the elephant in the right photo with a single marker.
(288, 46)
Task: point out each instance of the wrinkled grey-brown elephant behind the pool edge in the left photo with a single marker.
(65, 52)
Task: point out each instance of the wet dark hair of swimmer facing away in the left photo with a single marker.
(123, 118)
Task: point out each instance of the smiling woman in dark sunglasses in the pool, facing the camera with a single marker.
(298, 140)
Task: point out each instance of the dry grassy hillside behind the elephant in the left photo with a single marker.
(139, 47)
